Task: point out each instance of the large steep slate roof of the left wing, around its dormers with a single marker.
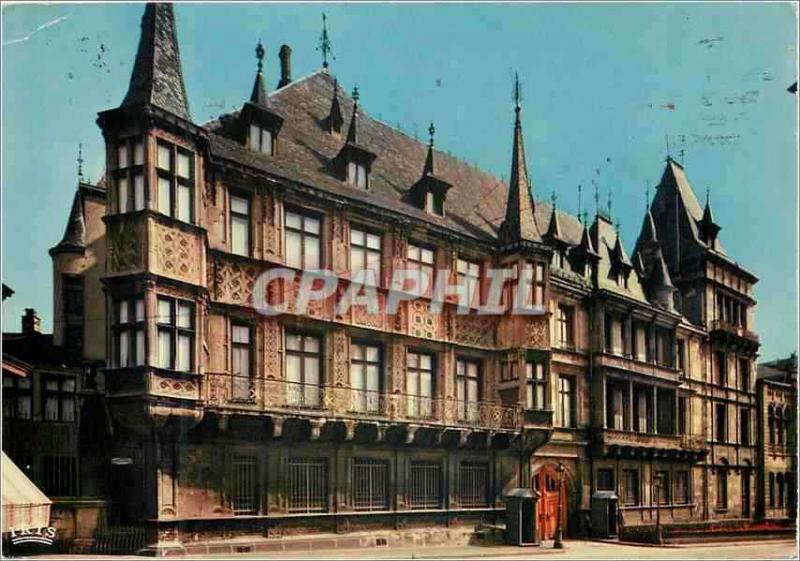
(475, 205)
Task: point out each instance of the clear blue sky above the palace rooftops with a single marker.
(600, 82)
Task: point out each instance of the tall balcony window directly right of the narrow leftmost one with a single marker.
(303, 370)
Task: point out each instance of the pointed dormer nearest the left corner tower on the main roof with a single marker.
(259, 125)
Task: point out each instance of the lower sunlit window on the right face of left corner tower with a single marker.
(175, 324)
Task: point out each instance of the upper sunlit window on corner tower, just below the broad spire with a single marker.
(175, 176)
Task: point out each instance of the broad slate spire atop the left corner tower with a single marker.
(157, 78)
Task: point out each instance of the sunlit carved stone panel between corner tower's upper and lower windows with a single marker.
(175, 253)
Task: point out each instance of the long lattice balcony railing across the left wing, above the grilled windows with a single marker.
(229, 391)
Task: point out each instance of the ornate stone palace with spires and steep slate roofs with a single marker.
(638, 379)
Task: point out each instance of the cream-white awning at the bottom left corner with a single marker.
(24, 505)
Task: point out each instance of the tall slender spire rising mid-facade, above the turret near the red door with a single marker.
(519, 223)
